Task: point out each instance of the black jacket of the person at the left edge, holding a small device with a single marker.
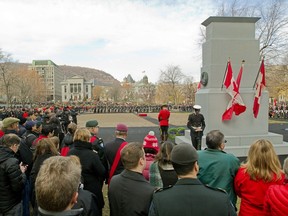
(12, 180)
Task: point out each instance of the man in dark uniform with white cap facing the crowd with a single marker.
(196, 124)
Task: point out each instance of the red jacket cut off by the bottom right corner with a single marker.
(276, 201)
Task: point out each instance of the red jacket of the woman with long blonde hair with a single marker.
(252, 192)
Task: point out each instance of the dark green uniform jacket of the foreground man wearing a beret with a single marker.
(190, 197)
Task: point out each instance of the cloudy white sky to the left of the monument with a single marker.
(120, 37)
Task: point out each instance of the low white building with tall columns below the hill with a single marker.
(76, 88)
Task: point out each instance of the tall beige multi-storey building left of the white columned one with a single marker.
(51, 76)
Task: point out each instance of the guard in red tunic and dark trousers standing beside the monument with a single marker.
(163, 118)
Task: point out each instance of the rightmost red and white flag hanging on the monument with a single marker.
(260, 85)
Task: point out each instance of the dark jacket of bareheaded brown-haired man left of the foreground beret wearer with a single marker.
(129, 194)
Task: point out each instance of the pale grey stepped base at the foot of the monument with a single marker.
(239, 145)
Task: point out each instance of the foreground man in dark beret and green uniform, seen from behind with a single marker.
(189, 196)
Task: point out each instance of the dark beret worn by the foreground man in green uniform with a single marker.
(184, 154)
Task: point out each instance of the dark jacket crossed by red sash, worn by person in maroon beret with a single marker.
(110, 150)
